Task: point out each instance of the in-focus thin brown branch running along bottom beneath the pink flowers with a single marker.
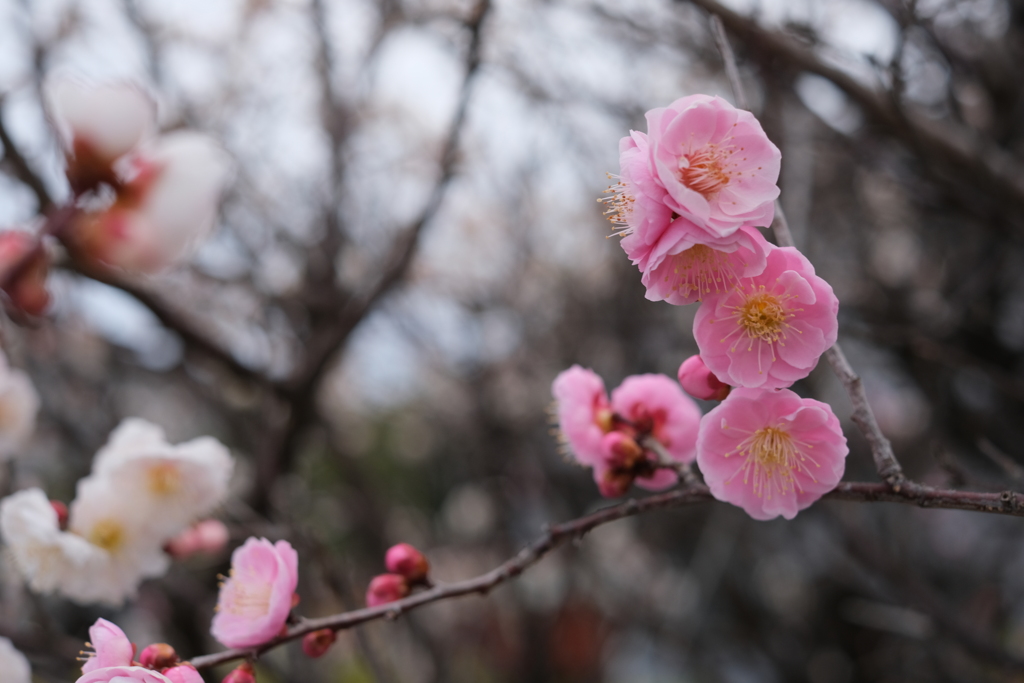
(1006, 503)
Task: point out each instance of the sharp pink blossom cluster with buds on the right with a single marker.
(690, 199)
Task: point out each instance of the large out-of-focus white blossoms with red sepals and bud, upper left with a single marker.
(140, 201)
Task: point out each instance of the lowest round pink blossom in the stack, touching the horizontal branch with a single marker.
(772, 453)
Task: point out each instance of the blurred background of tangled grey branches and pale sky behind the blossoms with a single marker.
(411, 250)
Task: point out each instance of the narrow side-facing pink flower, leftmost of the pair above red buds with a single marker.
(584, 413)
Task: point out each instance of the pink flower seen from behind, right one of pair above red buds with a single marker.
(656, 407)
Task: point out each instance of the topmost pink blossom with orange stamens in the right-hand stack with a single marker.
(716, 163)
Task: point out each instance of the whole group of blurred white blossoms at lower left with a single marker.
(143, 494)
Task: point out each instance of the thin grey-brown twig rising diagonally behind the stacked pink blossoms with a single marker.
(882, 451)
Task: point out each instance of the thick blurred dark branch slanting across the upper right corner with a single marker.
(980, 162)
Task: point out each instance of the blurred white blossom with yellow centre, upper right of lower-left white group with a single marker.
(168, 486)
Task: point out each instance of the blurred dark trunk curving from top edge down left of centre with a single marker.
(324, 348)
